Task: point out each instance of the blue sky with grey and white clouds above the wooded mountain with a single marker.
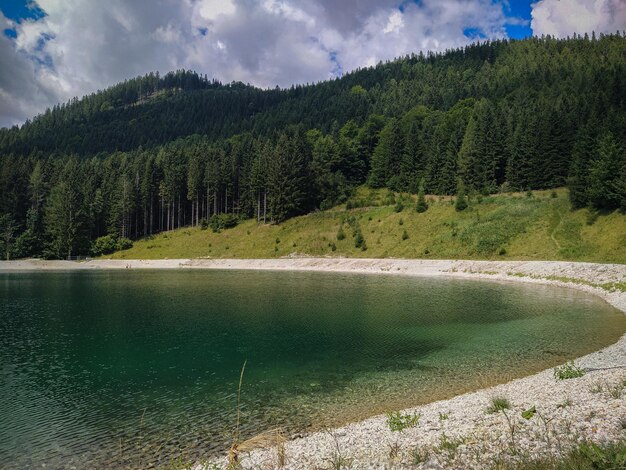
(53, 50)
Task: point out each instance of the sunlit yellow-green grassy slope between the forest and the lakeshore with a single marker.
(537, 228)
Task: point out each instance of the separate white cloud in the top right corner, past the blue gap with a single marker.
(563, 18)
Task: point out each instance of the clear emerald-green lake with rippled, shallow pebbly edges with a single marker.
(139, 368)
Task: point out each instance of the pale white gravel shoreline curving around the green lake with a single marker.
(585, 408)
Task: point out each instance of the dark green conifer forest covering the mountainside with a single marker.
(156, 153)
